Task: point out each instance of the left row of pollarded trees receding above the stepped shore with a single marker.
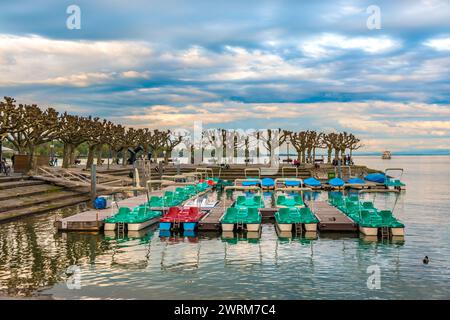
(27, 126)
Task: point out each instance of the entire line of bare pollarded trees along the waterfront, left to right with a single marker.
(27, 126)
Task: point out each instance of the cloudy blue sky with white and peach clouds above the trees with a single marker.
(239, 64)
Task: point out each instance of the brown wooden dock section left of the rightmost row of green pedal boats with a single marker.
(330, 218)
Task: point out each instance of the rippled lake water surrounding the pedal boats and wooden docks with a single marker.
(34, 257)
